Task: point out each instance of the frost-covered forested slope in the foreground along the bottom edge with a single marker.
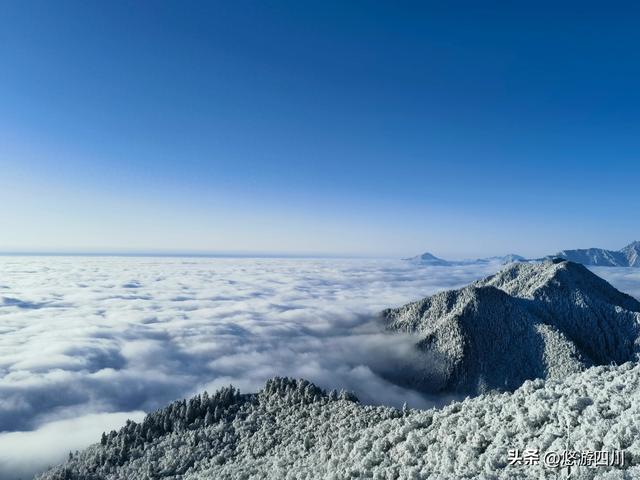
(292, 429)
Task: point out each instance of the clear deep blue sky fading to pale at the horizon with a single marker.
(330, 127)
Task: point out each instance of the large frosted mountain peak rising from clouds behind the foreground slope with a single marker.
(527, 321)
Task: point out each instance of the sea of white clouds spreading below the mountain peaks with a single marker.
(86, 342)
